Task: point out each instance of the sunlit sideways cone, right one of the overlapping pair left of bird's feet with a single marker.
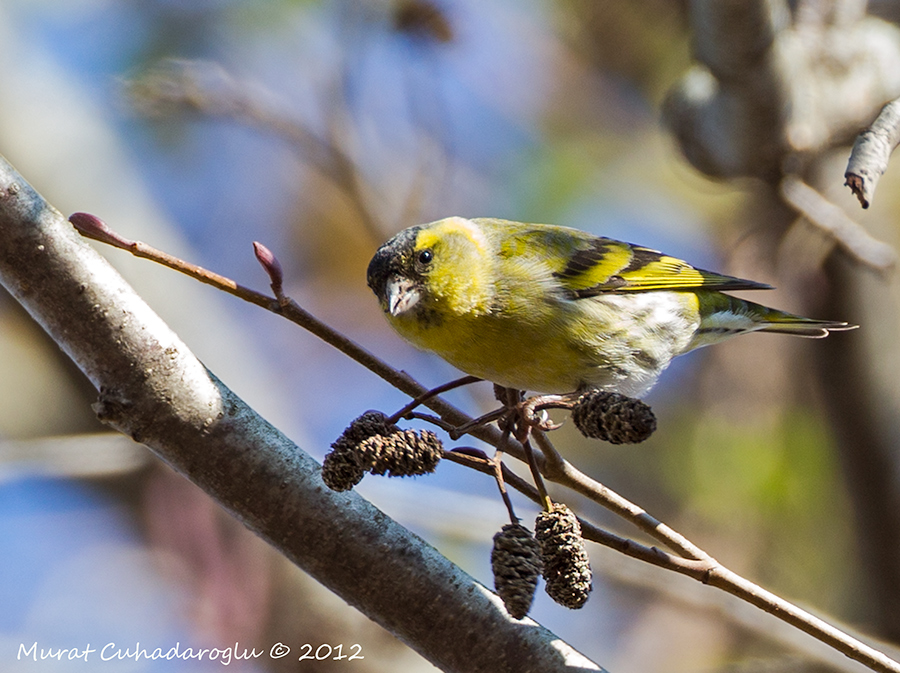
(404, 453)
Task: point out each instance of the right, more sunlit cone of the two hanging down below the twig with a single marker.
(567, 568)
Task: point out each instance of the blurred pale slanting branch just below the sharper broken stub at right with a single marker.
(832, 219)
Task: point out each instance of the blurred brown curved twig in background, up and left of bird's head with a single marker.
(209, 89)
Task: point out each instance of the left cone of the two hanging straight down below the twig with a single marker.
(516, 562)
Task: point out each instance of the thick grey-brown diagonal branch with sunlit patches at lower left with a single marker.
(155, 390)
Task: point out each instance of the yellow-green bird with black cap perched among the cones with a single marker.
(552, 309)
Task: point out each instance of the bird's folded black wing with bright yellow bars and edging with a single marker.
(605, 265)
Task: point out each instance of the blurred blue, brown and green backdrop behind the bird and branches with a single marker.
(320, 128)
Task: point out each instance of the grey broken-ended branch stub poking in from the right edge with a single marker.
(872, 152)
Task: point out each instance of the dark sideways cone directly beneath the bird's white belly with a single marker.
(613, 417)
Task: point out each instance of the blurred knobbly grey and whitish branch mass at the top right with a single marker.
(764, 89)
